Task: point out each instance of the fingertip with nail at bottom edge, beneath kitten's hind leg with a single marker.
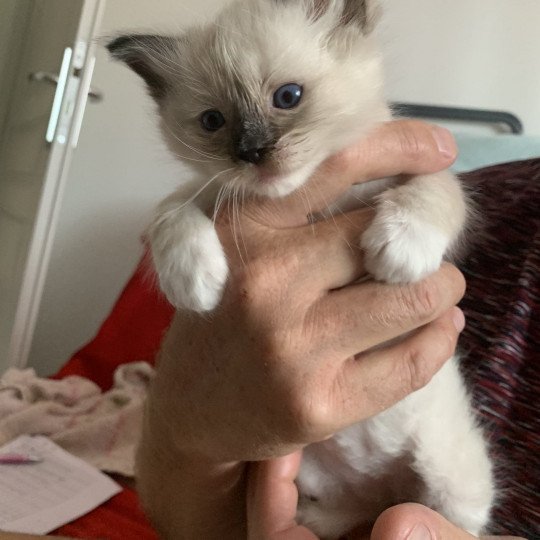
(417, 522)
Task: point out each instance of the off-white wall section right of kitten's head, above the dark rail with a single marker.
(470, 53)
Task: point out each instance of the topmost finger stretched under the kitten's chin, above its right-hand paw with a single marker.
(394, 148)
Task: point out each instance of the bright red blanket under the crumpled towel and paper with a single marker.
(131, 333)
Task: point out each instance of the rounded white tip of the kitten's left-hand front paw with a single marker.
(193, 272)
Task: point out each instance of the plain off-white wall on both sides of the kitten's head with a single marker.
(477, 53)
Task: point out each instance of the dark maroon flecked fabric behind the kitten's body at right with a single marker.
(501, 342)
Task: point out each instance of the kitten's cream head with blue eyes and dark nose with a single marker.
(267, 92)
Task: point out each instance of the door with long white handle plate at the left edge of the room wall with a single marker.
(46, 63)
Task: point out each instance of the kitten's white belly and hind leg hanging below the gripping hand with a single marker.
(365, 468)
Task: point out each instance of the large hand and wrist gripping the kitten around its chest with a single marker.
(285, 359)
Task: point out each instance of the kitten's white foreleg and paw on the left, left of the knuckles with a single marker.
(189, 259)
